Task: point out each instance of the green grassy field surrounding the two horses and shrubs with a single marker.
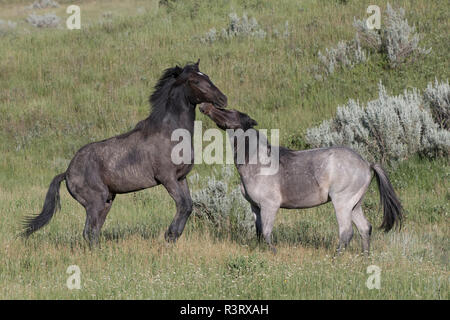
(61, 89)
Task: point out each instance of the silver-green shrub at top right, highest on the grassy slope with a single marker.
(396, 38)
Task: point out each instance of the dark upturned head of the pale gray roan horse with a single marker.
(228, 118)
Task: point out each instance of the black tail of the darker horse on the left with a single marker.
(51, 205)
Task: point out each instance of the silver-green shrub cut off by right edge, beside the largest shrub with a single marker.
(437, 98)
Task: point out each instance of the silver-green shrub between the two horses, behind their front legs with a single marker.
(224, 207)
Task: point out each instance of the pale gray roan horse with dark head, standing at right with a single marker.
(307, 179)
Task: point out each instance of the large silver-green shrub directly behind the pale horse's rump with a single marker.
(387, 129)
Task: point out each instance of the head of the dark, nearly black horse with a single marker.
(200, 88)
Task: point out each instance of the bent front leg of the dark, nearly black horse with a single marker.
(179, 191)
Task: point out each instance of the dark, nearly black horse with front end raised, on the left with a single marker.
(138, 159)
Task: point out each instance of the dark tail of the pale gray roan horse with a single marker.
(392, 208)
